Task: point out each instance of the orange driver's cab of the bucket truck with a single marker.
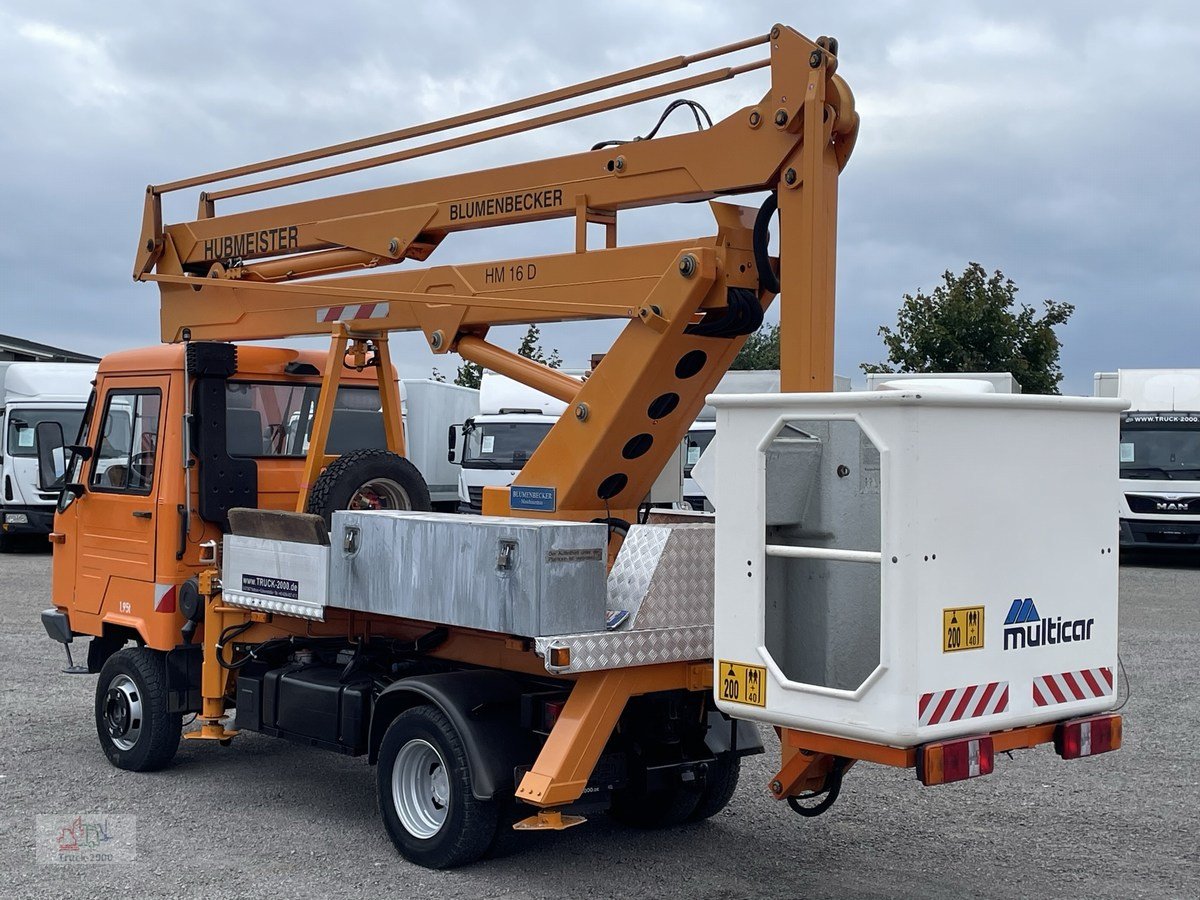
(134, 518)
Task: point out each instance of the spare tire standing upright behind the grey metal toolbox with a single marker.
(367, 481)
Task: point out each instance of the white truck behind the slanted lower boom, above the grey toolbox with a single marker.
(493, 446)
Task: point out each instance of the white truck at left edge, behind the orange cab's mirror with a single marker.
(33, 393)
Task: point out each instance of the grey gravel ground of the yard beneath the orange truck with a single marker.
(267, 818)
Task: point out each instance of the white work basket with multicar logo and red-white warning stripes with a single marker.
(890, 519)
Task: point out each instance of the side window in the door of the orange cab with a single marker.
(129, 442)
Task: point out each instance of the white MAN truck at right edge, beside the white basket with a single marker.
(1160, 454)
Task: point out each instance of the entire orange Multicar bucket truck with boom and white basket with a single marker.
(845, 596)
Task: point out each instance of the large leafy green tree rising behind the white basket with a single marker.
(973, 323)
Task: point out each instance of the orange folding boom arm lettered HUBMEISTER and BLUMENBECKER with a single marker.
(259, 274)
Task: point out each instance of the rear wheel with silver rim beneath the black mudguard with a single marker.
(425, 793)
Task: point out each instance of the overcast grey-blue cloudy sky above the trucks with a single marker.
(1054, 141)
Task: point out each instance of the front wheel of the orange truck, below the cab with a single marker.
(136, 730)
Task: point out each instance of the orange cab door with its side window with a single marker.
(117, 527)
